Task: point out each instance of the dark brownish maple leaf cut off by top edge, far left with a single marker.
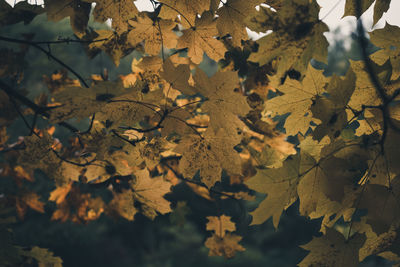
(77, 10)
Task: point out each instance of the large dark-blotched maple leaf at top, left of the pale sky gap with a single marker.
(297, 37)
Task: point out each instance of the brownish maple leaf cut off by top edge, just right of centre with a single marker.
(231, 19)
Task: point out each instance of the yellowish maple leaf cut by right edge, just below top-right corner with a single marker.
(385, 38)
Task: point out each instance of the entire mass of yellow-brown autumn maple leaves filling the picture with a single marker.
(167, 122)
